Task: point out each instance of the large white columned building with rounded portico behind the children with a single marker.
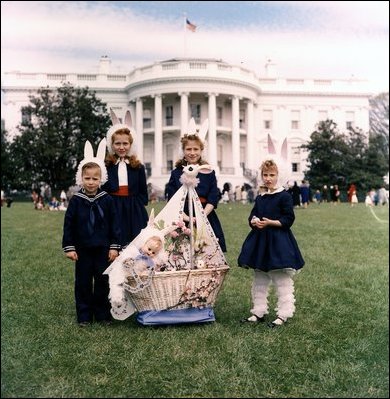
(242, 108)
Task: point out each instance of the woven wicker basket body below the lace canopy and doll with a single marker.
(179, 289)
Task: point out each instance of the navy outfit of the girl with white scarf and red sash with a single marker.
(131, 210)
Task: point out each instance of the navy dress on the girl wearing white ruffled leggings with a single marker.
(272, 248)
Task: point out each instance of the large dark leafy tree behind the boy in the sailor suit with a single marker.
(52, 136)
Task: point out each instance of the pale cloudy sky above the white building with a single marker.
(304, 39)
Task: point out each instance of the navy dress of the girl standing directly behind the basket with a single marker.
(208, 193)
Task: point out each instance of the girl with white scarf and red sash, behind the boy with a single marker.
(126, 179)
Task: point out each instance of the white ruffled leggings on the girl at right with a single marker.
(284, 284)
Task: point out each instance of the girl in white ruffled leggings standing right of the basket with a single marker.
(270, 248)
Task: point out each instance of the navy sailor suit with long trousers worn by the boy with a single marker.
(91, 229)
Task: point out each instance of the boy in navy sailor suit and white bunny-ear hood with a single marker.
(91, 237)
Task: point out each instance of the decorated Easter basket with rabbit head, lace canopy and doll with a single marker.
(172, 266)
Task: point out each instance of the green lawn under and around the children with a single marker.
(335, 346)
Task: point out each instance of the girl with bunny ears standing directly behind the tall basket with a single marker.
(207, 189)
